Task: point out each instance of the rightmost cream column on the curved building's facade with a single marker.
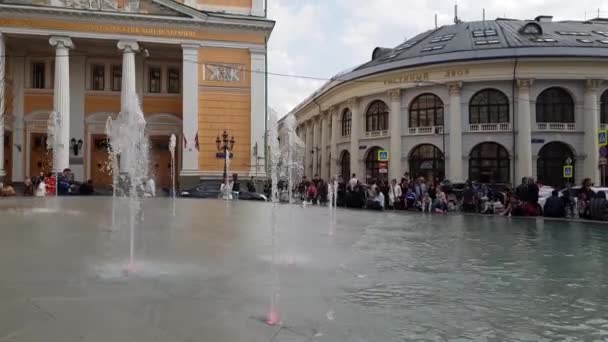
(592, 125)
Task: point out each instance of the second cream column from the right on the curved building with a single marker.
(523, 142)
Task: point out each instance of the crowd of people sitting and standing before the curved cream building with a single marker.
(433, 196)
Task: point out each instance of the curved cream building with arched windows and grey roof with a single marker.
(487, 101)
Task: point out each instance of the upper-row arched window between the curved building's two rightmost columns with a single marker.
(554, 105)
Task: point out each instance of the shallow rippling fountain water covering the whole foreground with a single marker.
(209, 273)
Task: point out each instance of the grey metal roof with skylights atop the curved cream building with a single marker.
(491, 39)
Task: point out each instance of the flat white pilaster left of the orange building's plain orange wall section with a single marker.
(189, 108)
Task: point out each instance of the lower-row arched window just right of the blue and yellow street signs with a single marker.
(427, 161)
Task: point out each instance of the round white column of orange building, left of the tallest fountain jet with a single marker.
(61, 102)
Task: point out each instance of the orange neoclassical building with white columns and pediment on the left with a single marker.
(198, 67)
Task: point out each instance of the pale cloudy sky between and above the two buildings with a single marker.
(320, 38)
